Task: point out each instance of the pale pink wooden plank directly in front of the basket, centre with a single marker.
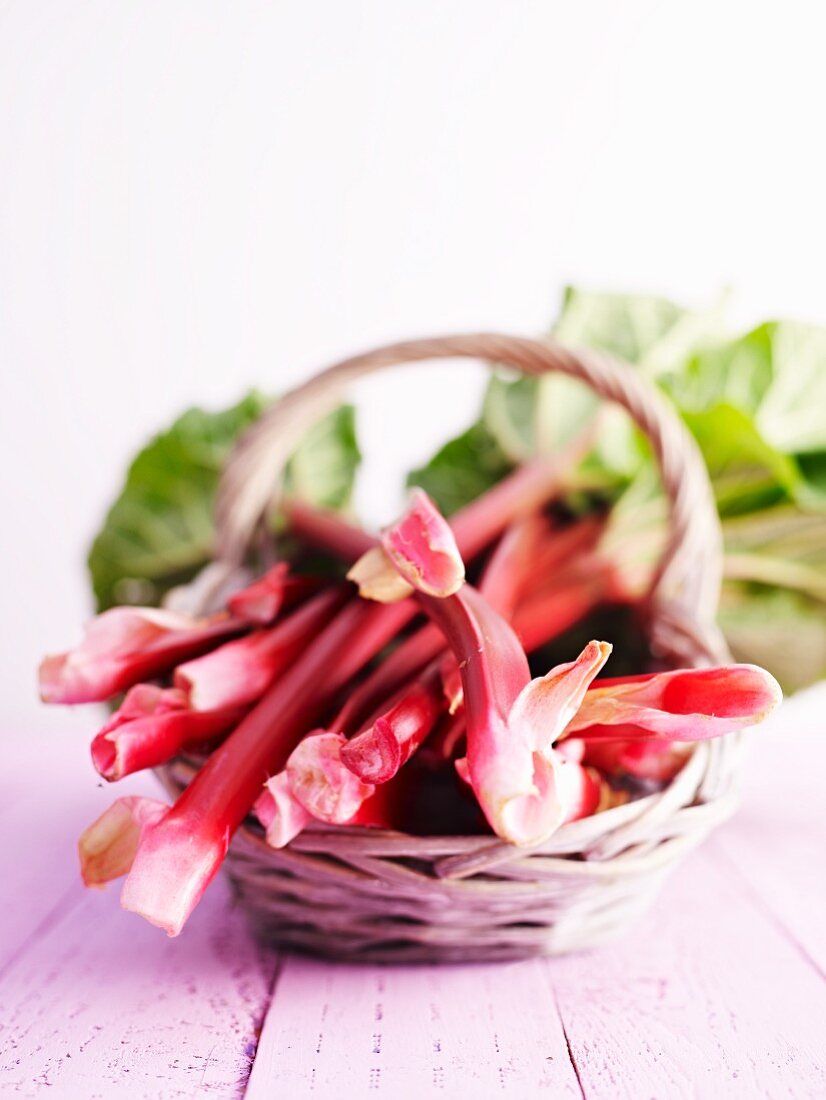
(481, 1031)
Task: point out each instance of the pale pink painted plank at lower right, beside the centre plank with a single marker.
(706, 998)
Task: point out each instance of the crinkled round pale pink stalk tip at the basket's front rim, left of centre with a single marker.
(323, 783)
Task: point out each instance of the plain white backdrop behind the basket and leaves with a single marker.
(201, 197)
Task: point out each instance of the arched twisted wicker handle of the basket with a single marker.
(686, 588)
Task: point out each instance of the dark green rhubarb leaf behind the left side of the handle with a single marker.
(160, 532)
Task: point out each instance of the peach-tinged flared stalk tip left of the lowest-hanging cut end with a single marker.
(108, 846)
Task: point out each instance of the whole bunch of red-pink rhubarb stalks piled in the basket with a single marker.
(411, 690)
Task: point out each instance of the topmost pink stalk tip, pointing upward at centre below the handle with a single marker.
(424, 551)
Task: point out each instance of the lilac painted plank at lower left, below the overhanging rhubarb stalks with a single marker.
(104, 1006)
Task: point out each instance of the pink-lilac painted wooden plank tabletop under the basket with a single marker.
(721, 992)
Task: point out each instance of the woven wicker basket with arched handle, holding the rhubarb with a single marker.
(375, 896)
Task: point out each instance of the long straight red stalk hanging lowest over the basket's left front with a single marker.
(178, 859)
